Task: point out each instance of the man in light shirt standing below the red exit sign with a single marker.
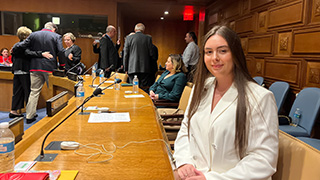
(191, 54)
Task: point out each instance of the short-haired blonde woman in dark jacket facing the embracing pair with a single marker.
(73, 53)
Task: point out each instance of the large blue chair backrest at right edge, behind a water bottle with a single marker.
(308, 101)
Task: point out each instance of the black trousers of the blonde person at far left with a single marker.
(21, 91)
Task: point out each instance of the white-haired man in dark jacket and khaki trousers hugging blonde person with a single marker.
(40, 67)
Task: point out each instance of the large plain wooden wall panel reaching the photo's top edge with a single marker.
(288, 14)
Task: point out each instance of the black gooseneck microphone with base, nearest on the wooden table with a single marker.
(50, 157)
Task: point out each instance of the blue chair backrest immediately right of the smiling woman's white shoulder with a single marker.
(280, 91)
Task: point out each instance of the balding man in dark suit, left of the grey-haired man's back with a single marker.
(108, 51)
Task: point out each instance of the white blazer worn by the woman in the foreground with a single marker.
(211, 148)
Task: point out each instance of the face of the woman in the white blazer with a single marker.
(218, 57)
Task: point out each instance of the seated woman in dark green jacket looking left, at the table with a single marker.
(172, 82)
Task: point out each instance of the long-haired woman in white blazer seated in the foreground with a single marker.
(230, 129)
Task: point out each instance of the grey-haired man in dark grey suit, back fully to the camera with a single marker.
(137, 56)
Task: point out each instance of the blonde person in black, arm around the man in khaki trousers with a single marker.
(20, 69)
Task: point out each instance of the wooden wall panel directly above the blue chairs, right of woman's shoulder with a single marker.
(288, 70)
